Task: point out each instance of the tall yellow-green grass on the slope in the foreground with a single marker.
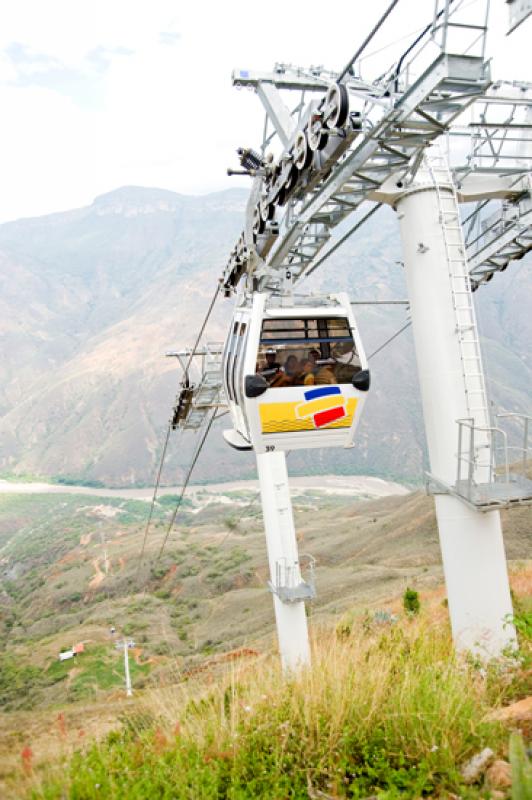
(388, 711)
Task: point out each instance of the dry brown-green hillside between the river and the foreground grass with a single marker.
(70, 572)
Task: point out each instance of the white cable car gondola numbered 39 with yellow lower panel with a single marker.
(295, 373)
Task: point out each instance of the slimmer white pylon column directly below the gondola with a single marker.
(290, 618)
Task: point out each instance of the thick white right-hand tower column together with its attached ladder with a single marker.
(452, 388)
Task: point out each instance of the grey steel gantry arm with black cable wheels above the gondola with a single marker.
(330, 162)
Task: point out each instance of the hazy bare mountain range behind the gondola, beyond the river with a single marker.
(93, 298)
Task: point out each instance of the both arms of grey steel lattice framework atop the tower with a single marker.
(356, 141)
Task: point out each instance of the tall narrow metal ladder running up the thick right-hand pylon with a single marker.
(466, 325)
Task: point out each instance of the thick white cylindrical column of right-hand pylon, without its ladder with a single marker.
(471, 542)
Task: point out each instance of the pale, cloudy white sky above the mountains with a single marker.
(98, 94)
